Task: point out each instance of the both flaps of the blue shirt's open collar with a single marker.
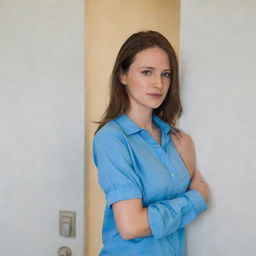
(130, 127)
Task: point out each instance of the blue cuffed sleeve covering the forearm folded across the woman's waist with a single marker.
(166, 216)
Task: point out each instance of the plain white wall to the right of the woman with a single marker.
(218, 60)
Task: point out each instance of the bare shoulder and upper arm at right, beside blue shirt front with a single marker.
(185, 146)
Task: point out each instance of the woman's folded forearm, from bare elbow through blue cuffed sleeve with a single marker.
(162, 218)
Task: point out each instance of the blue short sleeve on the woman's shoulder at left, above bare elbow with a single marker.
(116, 175)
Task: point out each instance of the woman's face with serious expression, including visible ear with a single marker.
(148, 78)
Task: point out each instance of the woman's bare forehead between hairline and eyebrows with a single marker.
(154, 56)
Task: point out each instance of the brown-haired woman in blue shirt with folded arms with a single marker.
(146, 167)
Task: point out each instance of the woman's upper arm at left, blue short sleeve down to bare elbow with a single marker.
(118, 180)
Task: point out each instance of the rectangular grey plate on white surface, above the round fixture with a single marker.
(67, 217)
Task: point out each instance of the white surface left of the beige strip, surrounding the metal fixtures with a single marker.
(41, 123)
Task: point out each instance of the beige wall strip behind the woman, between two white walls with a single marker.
(108, 24)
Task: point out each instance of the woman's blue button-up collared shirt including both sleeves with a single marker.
(131, 164)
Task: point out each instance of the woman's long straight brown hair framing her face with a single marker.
(171, 108)
